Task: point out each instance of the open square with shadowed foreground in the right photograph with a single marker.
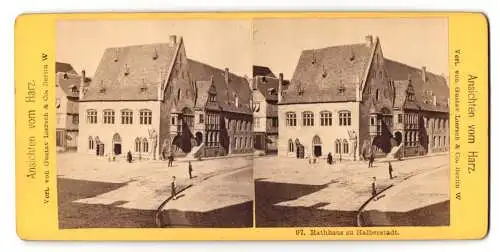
(340, 188)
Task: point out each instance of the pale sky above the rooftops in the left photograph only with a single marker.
(220, 43)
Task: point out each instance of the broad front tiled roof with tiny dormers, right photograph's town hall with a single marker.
(321, 73)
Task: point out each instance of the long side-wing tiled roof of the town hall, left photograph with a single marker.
(237, 85)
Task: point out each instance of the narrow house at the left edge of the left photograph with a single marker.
(68, 84)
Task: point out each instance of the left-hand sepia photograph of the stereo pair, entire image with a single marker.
(154, 124)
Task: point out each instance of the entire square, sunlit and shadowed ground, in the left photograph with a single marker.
(142, 186)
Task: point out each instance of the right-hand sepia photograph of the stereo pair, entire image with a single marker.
(351, 117)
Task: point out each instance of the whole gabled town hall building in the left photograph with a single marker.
(153, 101)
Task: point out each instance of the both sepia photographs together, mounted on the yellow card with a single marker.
(185, 123)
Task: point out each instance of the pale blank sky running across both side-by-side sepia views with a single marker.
(239, 44)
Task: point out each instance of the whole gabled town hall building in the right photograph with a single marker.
(340, 99)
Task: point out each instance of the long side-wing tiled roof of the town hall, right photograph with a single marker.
(424, 91)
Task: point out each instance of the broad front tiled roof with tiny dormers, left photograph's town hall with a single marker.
(132, 72)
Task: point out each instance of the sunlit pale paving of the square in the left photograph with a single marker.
(147, 182)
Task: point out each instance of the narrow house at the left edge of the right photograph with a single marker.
(265, 108)
